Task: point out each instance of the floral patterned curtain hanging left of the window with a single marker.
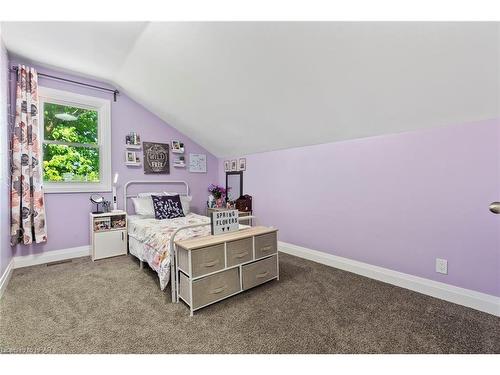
(27, 202)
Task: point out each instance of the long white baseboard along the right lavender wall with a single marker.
(466, 297)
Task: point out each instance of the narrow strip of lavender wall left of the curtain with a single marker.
(5, 250)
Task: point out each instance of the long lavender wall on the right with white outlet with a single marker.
(396, 201)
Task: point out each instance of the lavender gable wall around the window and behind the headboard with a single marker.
(68, 214)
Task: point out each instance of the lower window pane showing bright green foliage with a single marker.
(63, 163)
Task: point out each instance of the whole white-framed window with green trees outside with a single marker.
(76, 144)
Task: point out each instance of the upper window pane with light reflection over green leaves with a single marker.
(69, 124)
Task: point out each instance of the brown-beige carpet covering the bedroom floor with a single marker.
(111, 306)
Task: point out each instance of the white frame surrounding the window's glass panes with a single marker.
(103, 108)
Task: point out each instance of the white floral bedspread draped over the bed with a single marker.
(156, 234)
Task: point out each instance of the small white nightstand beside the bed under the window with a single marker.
(108, 234)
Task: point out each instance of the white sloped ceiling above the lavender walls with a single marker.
(245, 87)
